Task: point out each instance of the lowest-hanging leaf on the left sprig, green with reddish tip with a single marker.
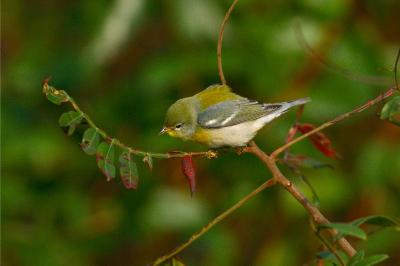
(128, 170)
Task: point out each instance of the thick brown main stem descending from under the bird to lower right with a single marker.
(316, 215)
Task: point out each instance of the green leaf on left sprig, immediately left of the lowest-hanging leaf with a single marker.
(105, 159)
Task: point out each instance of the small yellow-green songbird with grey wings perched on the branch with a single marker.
(218, 117)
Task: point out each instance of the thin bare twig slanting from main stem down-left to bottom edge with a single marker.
(214, 222)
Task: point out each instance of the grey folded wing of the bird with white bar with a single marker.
(229, 113)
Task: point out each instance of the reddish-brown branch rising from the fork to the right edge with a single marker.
(339, 118)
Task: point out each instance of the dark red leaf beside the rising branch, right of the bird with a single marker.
(319, 139)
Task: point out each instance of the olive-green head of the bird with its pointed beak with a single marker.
(180, 120)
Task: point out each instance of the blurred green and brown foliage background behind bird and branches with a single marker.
(125, 62)
